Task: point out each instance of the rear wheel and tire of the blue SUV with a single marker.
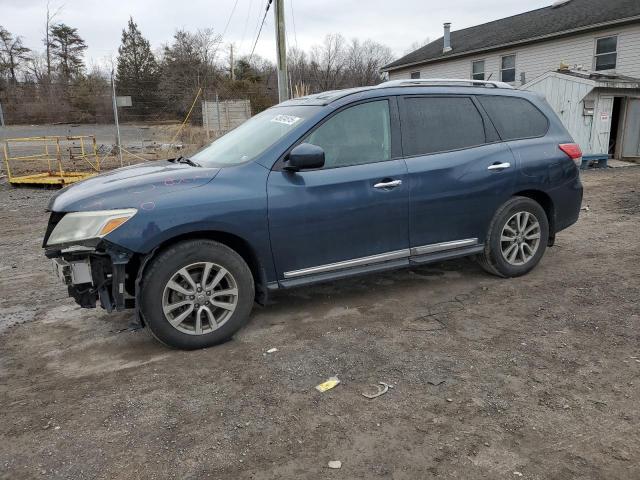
(498, 256)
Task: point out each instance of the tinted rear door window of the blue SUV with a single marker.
(440, 124)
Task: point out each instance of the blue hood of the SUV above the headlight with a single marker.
(130, 186)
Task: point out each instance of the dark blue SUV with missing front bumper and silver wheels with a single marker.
(319, 188)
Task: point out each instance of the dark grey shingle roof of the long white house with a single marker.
(525, 27)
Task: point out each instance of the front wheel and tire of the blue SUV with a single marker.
(204, 313)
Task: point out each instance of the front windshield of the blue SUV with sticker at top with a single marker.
(253, 137)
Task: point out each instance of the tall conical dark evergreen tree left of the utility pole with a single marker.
(137, 73)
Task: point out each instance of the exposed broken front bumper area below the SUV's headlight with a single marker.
(96, 274)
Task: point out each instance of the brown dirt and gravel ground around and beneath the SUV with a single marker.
(535, 378)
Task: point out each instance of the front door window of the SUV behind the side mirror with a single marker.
(356, 135)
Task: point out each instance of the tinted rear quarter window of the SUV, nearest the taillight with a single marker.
(515, 118)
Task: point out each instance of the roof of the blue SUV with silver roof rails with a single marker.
(399, 87)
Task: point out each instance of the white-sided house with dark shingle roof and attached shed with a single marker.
(594, 43)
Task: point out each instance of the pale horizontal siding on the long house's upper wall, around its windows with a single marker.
(539, 58)
